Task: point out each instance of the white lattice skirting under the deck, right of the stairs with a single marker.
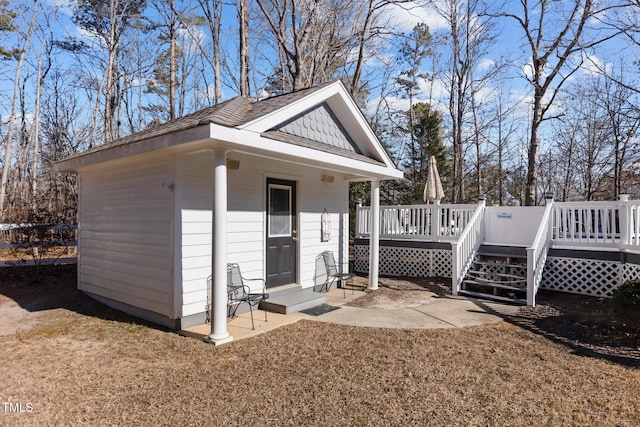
(586, 276)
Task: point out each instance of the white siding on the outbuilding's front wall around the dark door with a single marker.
(246, 219)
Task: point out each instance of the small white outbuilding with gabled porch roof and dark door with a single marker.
(246, 182)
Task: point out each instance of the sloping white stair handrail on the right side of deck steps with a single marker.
(537, 253)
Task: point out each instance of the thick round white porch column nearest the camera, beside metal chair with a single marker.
(219, 333)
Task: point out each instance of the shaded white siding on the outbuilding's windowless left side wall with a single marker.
(125, 234)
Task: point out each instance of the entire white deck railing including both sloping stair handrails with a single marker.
(594, 226)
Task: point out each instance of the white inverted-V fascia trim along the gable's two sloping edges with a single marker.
(342, 104)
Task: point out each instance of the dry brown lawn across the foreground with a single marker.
(74, 362)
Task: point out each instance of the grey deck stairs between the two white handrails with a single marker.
(498, 273)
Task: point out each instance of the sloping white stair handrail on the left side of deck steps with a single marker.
(464, 249)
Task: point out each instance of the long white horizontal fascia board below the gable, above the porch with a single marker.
(253, 143)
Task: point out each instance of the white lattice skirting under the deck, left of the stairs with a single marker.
(409, 262)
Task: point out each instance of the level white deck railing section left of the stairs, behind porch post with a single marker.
(416, 222)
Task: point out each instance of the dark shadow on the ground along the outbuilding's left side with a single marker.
(49, 287)
